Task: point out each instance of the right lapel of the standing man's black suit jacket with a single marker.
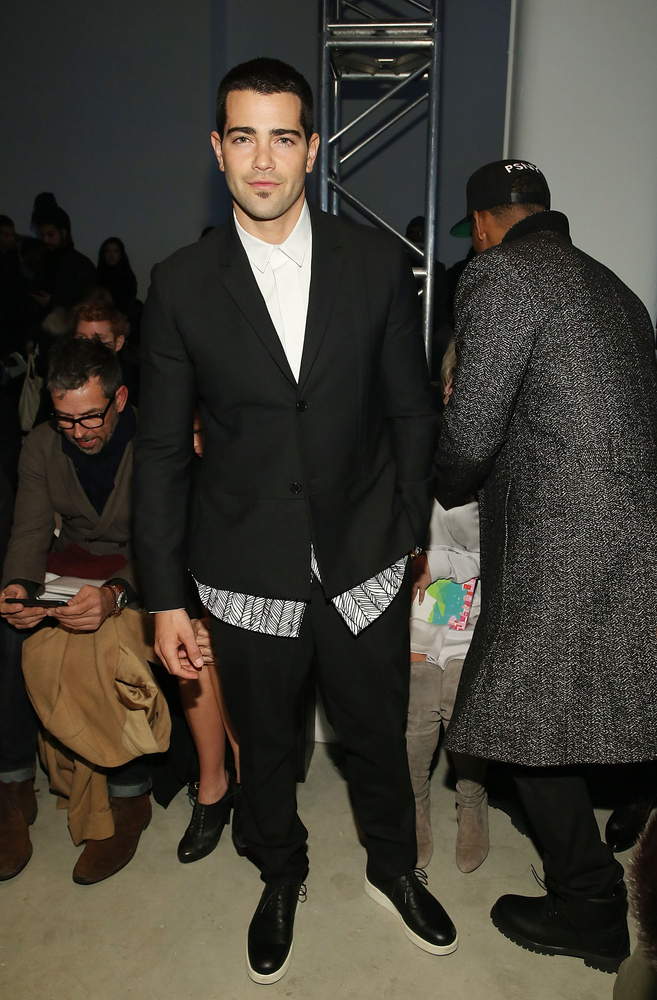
(327, 263)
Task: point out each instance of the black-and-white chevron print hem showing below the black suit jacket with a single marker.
(358, 607)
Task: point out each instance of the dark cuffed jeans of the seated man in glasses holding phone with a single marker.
(19, 724)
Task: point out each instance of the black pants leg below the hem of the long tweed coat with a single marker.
(575, 859)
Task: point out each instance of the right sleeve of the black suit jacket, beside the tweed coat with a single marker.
(408, 400)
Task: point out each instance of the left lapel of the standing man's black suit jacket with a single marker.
(243, 288)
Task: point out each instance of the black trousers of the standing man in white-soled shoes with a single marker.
(364, 683)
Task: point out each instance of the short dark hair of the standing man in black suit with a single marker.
(267, 76)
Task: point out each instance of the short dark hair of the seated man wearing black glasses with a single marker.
(73, 361)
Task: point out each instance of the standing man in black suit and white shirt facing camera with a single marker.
(299, 335)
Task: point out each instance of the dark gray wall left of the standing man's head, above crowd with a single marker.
(107, 104)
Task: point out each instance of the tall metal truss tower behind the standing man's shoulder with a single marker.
(358, 44)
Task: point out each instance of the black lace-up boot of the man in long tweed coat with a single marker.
(594, 930)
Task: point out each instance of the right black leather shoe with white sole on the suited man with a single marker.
(423, 919)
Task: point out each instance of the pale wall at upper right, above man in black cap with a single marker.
(583, 108)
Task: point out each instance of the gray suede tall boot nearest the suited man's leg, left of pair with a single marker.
(422, 732)
